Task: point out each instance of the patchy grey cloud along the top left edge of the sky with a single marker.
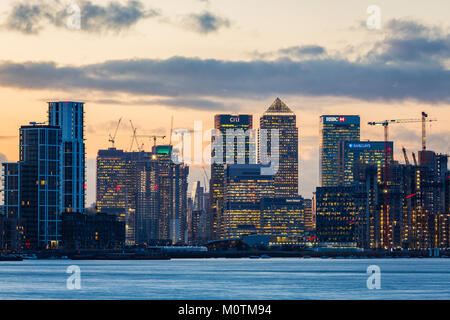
(31, 17)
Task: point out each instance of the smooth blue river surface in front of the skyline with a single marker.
(200, 279)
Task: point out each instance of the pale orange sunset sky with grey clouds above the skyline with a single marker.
(149, 61)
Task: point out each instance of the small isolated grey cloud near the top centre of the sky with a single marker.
(205, 22)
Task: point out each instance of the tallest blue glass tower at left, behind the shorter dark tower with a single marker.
(69, 116)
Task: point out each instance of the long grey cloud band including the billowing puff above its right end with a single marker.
(387, 74)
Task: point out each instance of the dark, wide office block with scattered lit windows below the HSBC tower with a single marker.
(340, 215)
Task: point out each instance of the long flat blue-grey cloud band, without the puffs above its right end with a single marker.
(193, 77)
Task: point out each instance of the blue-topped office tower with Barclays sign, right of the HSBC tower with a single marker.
(354, 152)
